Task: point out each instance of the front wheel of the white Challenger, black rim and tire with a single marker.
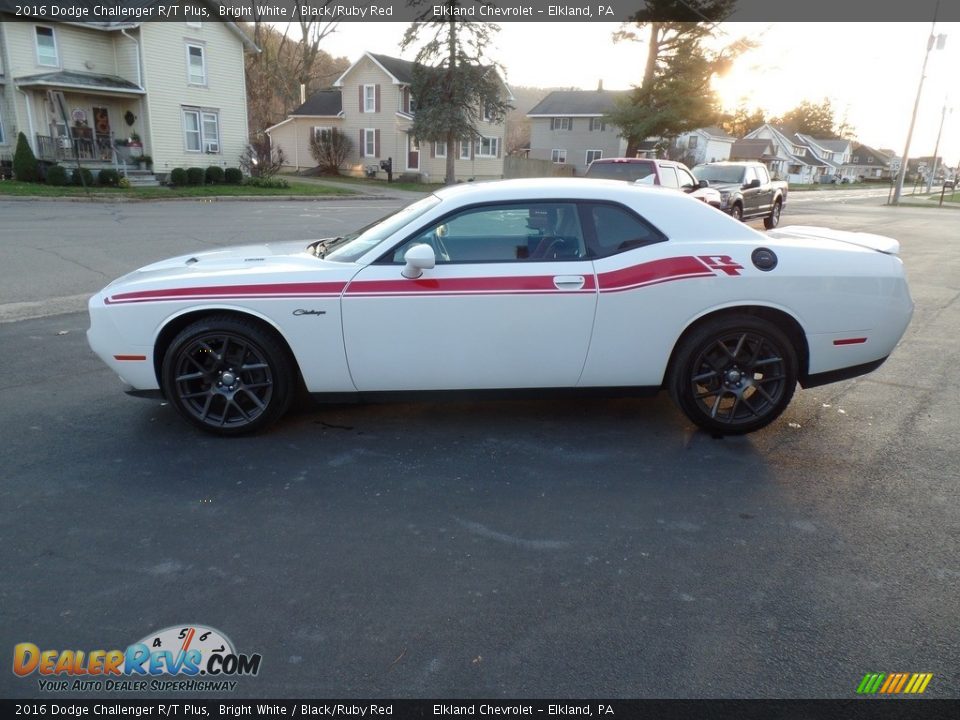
(228, 375)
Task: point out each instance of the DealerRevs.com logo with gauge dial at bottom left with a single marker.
(179, 658)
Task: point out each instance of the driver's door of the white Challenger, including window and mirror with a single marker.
(509, 304)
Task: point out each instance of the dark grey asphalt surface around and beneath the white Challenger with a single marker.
(550, 548)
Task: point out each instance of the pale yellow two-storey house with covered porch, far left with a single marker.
(106, 92)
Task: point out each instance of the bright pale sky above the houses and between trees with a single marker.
(870, 71)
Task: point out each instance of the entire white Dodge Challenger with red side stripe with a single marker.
(519, 284)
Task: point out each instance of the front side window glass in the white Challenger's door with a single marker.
(515, 232)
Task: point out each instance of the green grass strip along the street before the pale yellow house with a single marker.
(12, 187)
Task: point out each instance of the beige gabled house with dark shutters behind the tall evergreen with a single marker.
(371, 103)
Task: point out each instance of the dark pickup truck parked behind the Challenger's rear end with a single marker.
(746, 190)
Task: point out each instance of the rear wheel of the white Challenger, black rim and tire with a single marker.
(734, 374)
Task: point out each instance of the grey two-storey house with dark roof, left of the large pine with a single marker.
(567, 128)
